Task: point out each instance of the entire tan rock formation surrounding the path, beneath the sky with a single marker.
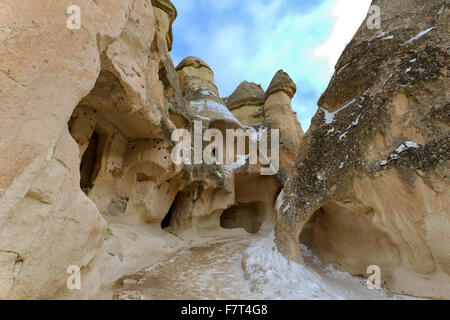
(87, 118)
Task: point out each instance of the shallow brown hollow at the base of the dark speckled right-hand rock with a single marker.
(345, 234)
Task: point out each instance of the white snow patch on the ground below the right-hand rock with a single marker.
(272, 276)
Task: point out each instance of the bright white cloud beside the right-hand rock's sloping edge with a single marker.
(349, 15)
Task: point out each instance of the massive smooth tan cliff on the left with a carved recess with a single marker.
(103, 97)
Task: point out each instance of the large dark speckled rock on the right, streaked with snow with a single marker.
(371, 184)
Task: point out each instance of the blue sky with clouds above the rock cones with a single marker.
(252, 39)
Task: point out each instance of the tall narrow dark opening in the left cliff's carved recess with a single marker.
(91, 162)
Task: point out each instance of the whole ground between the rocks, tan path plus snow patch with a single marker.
(215, 271)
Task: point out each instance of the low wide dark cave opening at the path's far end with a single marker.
(249, 216)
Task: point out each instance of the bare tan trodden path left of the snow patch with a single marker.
(211, 271)
